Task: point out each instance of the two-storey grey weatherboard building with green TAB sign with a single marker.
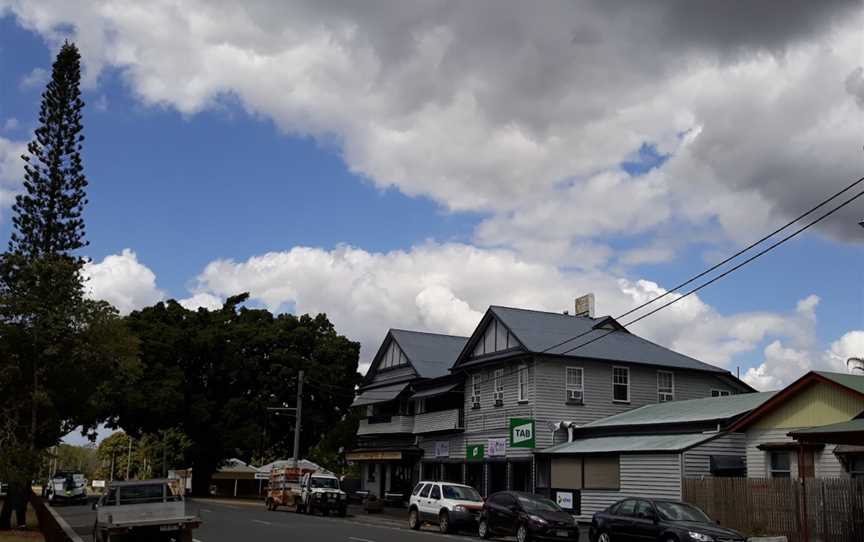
(531, 376)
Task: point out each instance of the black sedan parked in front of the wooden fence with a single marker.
(632, 520)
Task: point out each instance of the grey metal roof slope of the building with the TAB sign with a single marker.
(538, 330)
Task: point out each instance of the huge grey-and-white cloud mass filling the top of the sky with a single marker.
(504, 107)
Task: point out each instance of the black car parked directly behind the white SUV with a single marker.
(529, 517)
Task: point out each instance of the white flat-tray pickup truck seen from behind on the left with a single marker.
(143, 510)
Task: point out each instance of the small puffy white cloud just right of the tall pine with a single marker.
(123, 281)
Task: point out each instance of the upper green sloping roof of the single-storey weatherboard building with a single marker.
(692, 410)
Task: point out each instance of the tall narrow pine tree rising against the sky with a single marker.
(47, 217)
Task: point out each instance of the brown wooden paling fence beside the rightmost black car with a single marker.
(803, 511)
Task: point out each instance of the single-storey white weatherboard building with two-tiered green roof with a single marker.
(646, 452)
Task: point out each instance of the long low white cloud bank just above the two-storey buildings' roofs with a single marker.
(446, 288)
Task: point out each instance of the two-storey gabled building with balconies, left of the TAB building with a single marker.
(407, 395)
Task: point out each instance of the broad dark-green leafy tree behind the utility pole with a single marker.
(213, 375)
